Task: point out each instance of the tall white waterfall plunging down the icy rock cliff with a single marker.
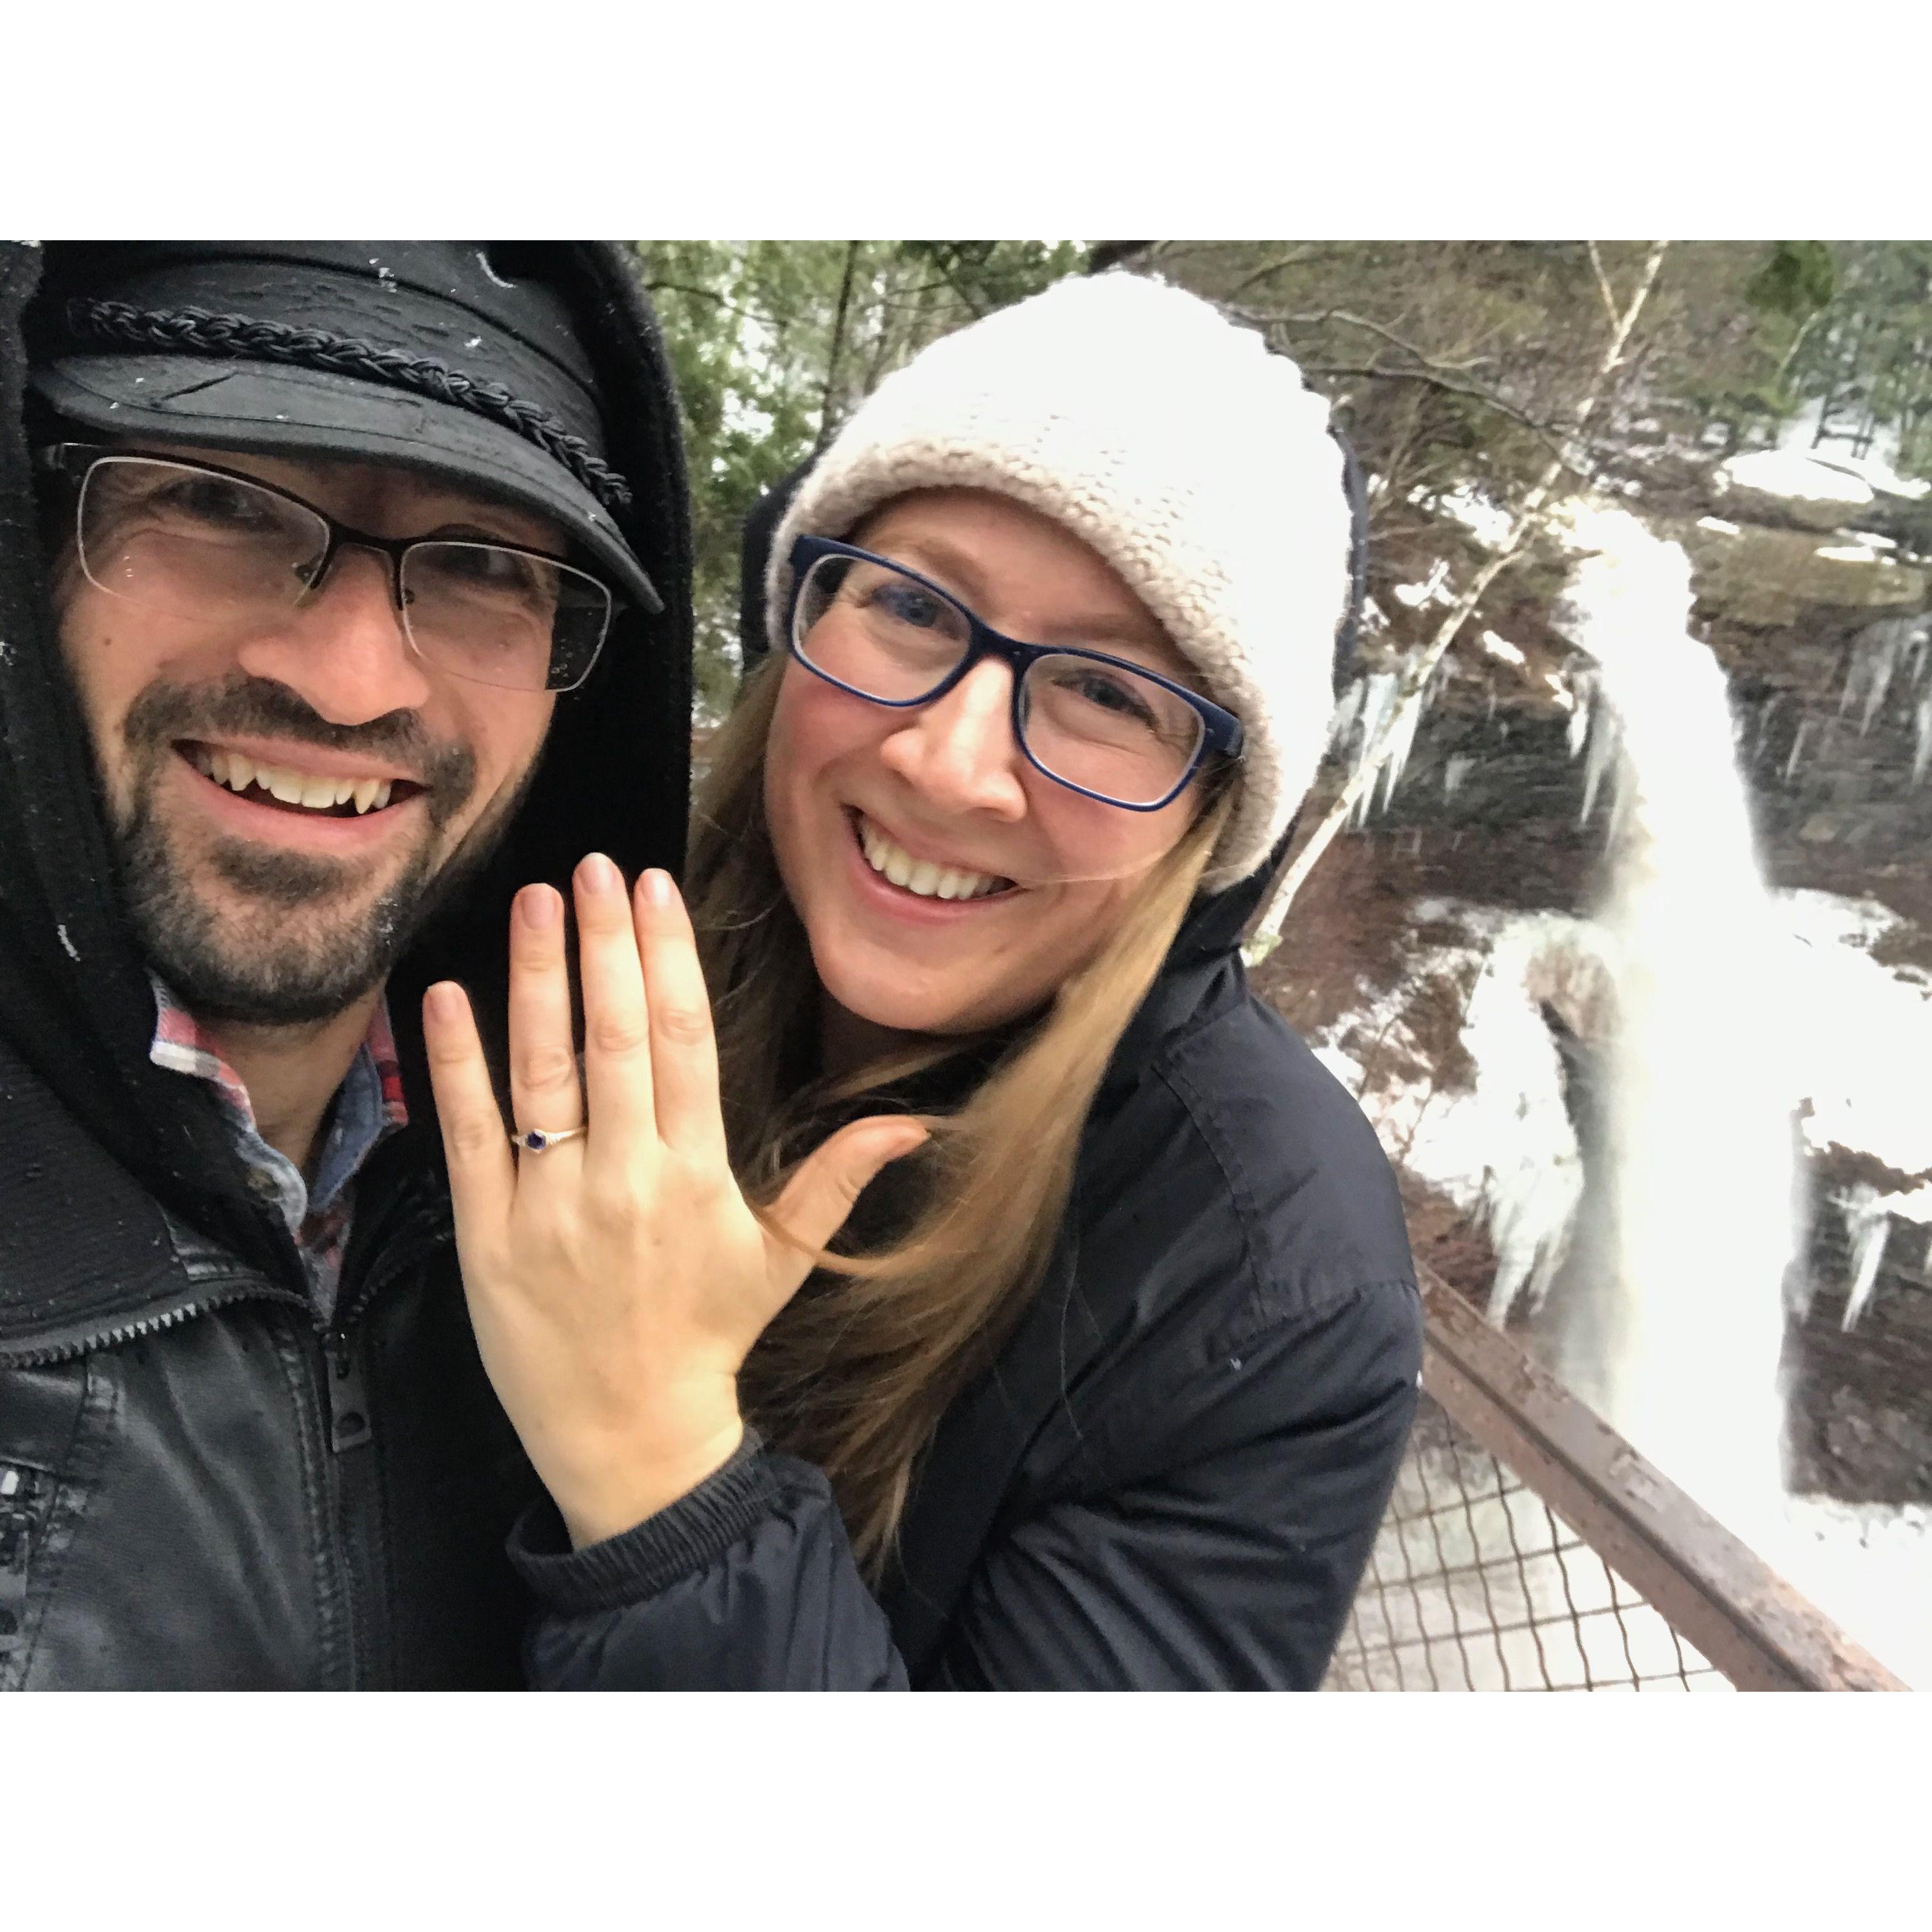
(1686, 1357)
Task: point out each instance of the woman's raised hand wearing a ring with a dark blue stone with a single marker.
(619, 1280)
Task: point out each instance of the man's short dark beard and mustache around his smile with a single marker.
(283, 959)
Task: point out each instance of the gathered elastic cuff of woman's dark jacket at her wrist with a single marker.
(662, 1550)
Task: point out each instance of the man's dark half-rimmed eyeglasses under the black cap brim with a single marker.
(194, 540)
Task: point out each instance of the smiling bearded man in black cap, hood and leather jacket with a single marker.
(343, 590)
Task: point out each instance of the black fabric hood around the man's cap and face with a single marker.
(615, 778)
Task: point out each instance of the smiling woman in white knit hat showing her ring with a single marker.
(1110, 1377)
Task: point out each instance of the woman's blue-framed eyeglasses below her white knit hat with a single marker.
(1096, 724)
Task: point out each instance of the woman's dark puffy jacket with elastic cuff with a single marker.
(1176, 1469)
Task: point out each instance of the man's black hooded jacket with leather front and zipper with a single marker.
(200, 1487)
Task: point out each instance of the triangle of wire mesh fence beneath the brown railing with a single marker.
(1477, 1585)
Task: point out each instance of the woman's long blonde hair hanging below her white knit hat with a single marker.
(859, 1369)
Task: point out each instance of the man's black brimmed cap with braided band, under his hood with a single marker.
(463, 360)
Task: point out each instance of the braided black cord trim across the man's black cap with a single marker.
(204, 333)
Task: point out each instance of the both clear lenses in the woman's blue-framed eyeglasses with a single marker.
(1096, 725)
